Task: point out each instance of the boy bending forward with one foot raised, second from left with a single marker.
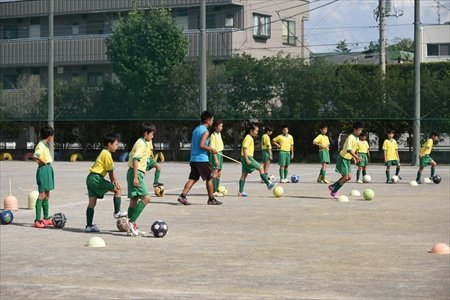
(98, 186)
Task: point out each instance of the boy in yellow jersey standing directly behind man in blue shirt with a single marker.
(216, 159)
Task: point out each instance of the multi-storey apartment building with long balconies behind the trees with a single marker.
(259, 28)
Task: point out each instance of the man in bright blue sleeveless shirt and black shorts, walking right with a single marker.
(199, 161)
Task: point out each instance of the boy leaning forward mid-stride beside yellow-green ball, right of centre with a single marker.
(344, 159)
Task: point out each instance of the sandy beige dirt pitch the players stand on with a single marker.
(304, 245)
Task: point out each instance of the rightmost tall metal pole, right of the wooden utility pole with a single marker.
(417, 60)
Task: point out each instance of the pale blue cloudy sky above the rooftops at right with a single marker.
(354, 22)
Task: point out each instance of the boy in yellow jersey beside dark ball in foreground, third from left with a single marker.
(137, 165)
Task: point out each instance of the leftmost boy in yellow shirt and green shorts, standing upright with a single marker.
(44, 177)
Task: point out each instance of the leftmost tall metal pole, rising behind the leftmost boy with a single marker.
(50, 91)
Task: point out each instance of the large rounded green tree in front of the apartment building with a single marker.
(144, 49)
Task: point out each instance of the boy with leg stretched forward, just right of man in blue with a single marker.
(249, 164)
